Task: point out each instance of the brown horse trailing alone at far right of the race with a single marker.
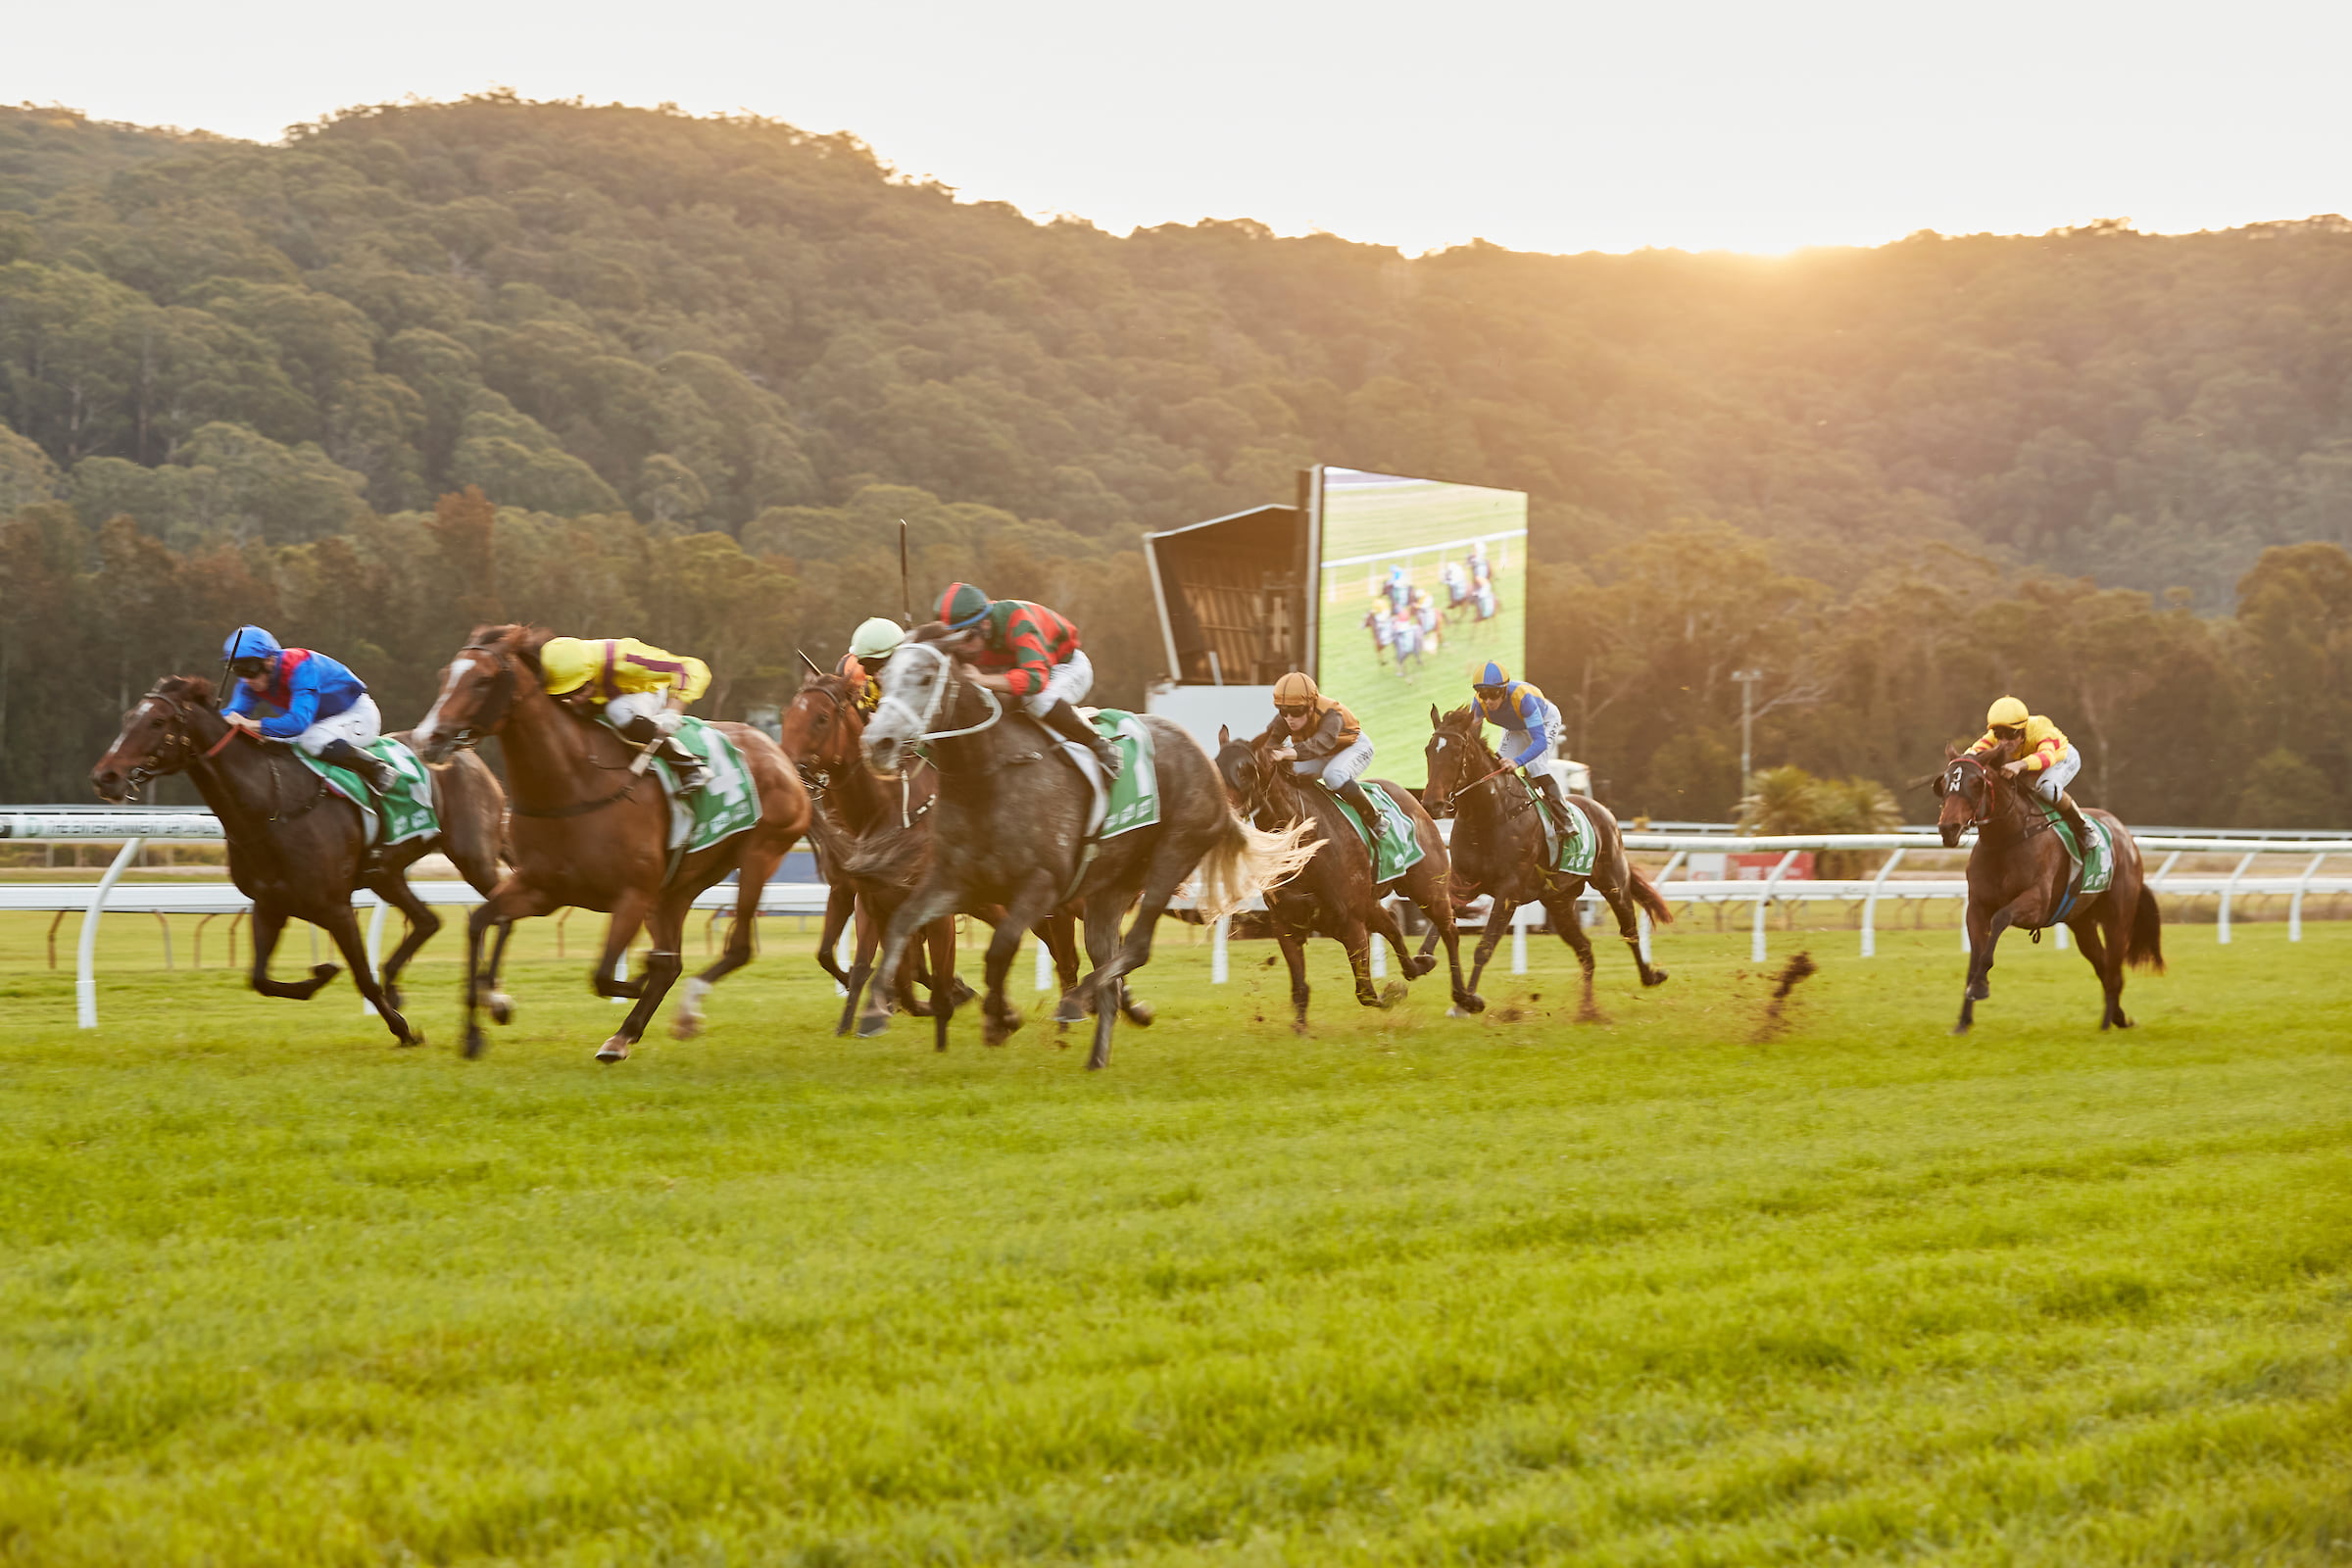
(2019, 873)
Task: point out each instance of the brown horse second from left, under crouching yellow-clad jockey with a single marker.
(594, 836)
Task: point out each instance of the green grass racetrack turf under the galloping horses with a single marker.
(1415, 1289)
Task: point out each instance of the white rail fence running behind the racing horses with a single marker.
(135, 826)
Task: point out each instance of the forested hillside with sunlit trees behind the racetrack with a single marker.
(695, 370)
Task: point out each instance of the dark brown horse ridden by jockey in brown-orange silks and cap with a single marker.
(1337, 894)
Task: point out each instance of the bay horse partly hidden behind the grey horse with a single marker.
(876, 843)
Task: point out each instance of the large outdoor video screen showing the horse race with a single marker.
(1419, 579)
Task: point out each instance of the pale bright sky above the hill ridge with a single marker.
(1558, 128)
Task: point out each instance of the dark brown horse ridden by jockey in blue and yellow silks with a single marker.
(1499, 852)
